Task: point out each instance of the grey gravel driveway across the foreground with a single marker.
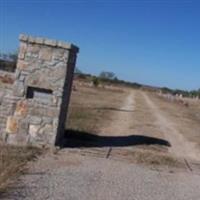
(71, 176)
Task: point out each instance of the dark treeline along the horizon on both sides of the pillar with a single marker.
(8, 63)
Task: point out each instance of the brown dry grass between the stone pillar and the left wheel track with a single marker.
(90, 108)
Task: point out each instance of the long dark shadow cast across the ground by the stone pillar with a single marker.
(83, 139)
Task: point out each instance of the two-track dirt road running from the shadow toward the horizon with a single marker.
(123, 123)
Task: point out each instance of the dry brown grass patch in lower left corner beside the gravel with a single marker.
(12, 160)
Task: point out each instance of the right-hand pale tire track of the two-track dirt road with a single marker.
(180, 147)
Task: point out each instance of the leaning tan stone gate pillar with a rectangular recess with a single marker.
(41, 91)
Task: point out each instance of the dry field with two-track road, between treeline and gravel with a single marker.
(135, 125)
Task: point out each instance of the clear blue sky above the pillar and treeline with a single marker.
(154, 42)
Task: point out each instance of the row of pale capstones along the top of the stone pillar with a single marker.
(48, 42)
